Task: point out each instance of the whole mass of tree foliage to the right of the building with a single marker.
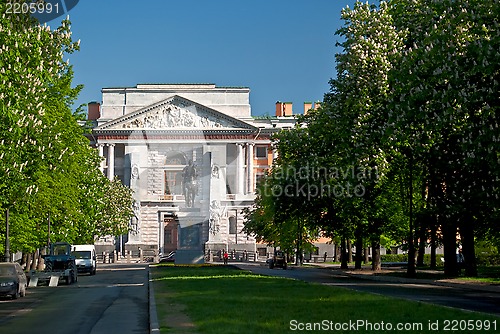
(414, 106)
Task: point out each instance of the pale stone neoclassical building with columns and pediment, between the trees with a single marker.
(192, 153)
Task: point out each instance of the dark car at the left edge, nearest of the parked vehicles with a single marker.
(13, 280)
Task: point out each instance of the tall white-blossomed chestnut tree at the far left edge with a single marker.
(34, 93)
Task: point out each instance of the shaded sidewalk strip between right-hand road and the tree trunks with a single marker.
(392, 275)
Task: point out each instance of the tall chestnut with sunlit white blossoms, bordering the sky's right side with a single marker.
(360, 93)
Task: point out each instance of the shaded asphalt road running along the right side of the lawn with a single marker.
(456, 297)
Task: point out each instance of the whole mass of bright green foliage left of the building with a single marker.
(47, 167)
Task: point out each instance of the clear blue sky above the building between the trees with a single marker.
(281, 49)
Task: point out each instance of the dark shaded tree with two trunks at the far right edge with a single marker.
(444, 108)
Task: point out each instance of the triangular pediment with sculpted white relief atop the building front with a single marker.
(176, 113)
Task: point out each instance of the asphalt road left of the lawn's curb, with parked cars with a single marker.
(113, 301)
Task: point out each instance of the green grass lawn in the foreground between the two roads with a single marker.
(218, 299)
